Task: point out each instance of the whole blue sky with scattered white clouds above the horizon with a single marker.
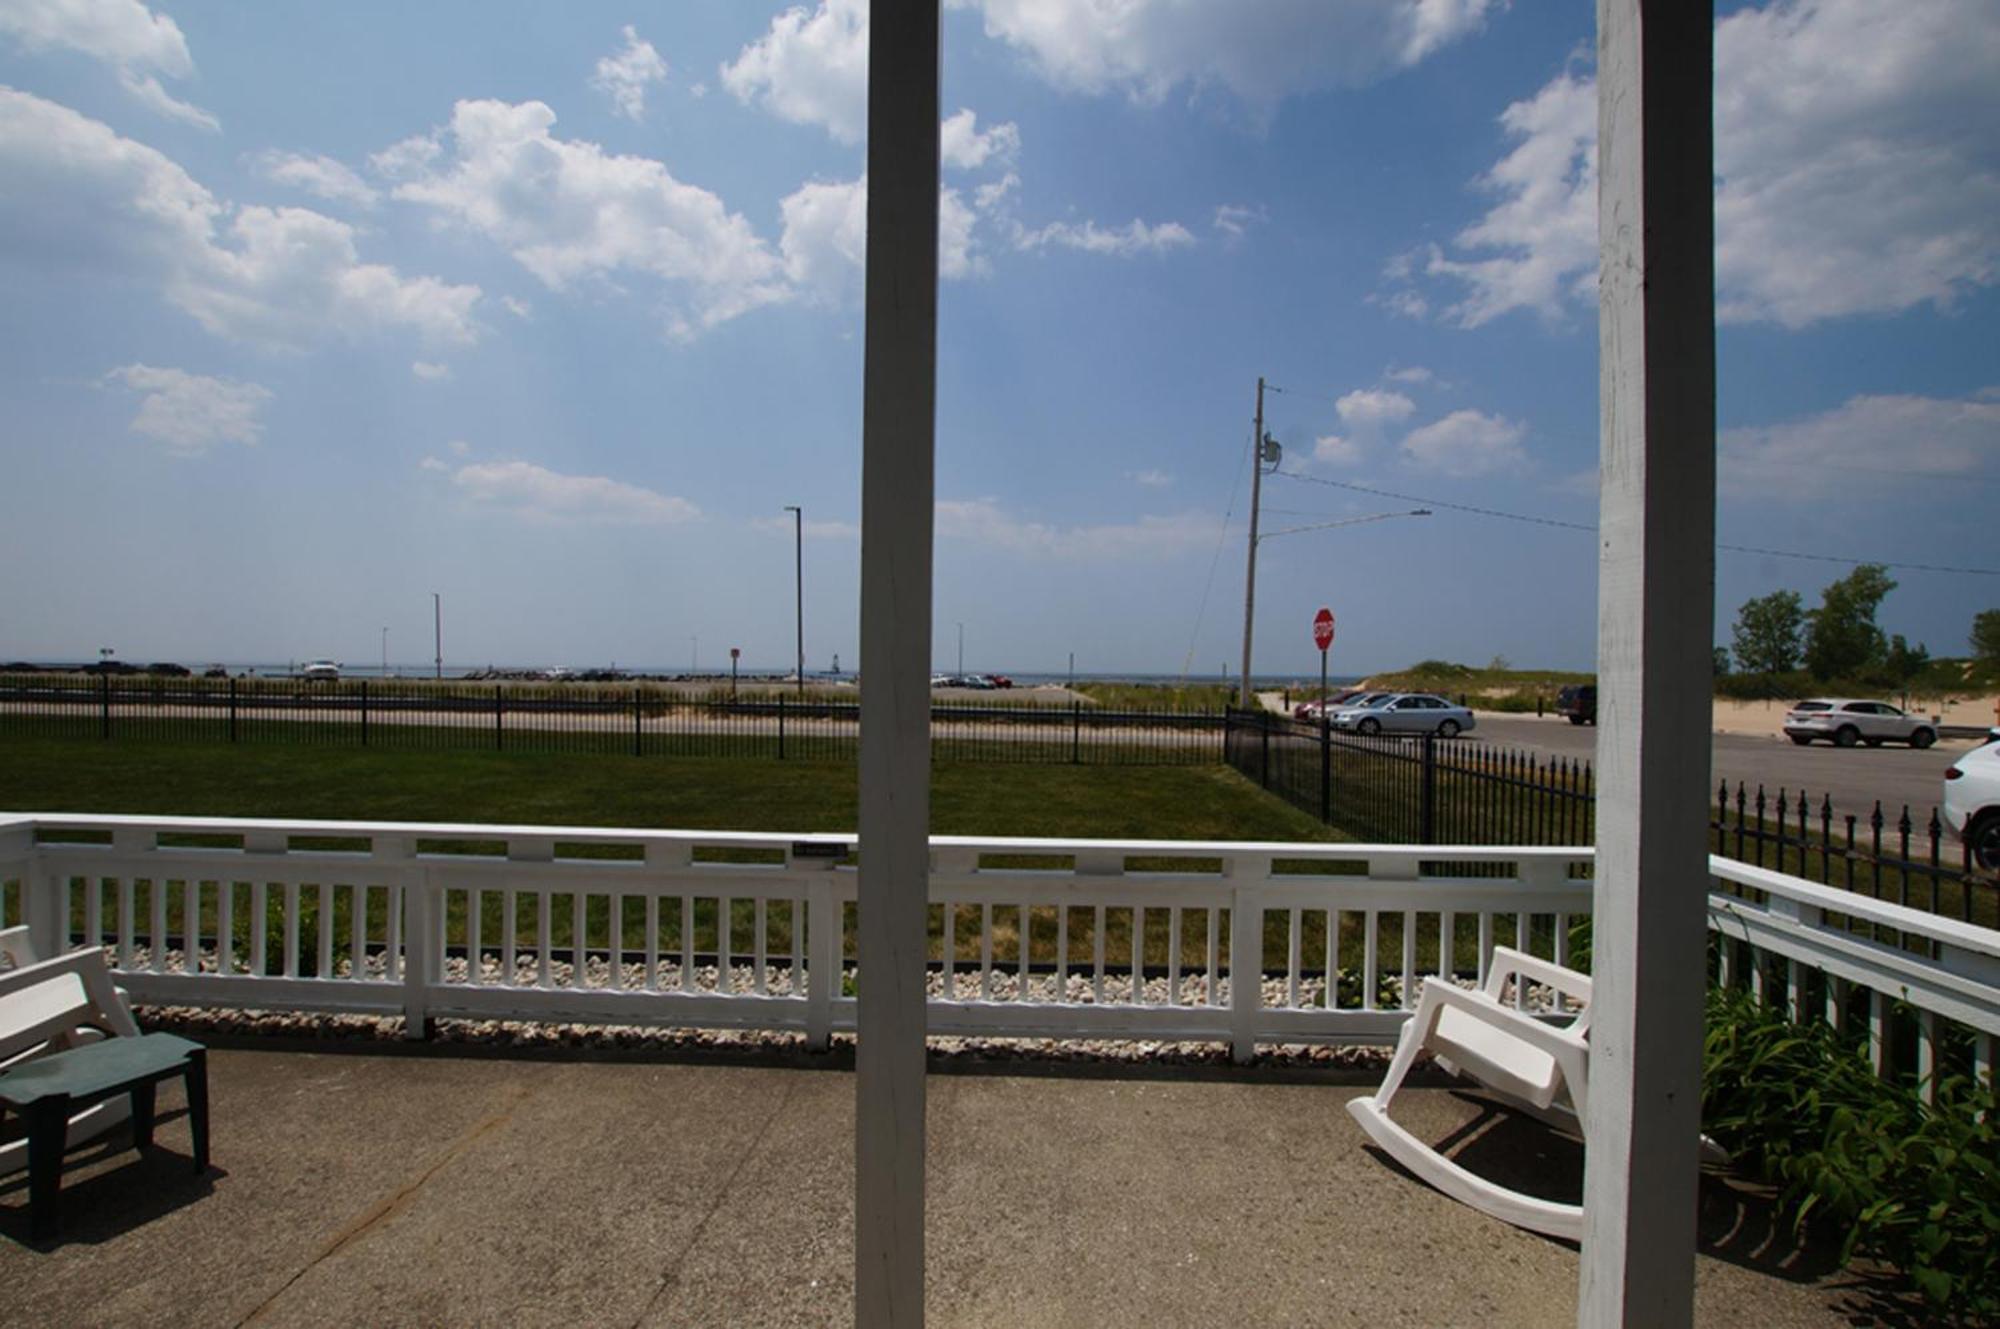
(313, 311)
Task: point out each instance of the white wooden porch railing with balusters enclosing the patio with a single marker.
(755, 932)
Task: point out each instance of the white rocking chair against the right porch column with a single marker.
(1525, 1058)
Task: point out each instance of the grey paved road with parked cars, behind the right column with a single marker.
(1855, 778)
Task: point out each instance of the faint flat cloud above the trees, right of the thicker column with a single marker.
(1865, 449)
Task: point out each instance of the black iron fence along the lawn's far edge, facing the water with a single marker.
(573, 718)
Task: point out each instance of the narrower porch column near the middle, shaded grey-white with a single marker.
(899, 491)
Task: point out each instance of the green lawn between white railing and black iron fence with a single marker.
(701, 794)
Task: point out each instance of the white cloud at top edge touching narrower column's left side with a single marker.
(811, 69)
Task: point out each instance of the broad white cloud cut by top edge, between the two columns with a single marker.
(1259, 53)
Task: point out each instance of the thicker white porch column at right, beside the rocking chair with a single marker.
(1657, 337)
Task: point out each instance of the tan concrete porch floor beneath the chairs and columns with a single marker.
(449, 1190)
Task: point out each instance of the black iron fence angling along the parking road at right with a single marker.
(1459, 792)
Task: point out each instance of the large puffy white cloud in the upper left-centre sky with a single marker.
(569, 211)
